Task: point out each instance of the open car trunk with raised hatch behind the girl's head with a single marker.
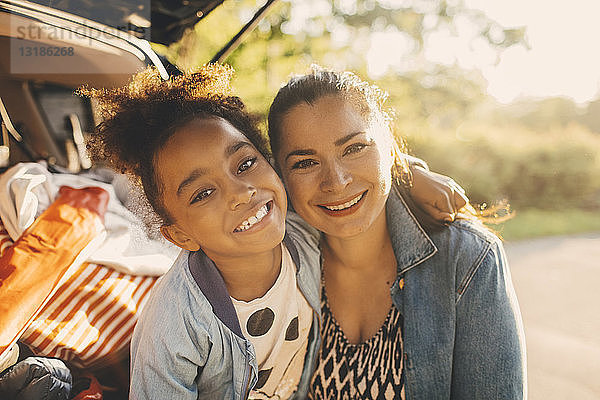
(54, 47)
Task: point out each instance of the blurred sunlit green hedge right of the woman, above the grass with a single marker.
(550, 169)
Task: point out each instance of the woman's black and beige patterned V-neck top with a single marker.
(369, 370)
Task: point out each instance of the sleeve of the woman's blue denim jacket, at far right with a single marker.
(489, 352)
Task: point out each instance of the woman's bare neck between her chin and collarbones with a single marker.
(359, 252)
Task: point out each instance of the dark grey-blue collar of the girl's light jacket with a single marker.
(211, 283)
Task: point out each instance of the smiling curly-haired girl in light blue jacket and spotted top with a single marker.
(238, 314)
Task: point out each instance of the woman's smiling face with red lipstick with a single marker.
(335, 164)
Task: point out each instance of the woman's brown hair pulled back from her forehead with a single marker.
(368, 99)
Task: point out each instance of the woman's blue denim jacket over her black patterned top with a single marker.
(463, 334)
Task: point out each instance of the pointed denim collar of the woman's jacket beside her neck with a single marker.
(417, 246)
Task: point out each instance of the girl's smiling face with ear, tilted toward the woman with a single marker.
(221, 193)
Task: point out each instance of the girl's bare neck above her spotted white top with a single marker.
(250, 277)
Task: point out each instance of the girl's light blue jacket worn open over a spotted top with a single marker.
(188, 343)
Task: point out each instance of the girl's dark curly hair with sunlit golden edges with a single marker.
(139, 118)
